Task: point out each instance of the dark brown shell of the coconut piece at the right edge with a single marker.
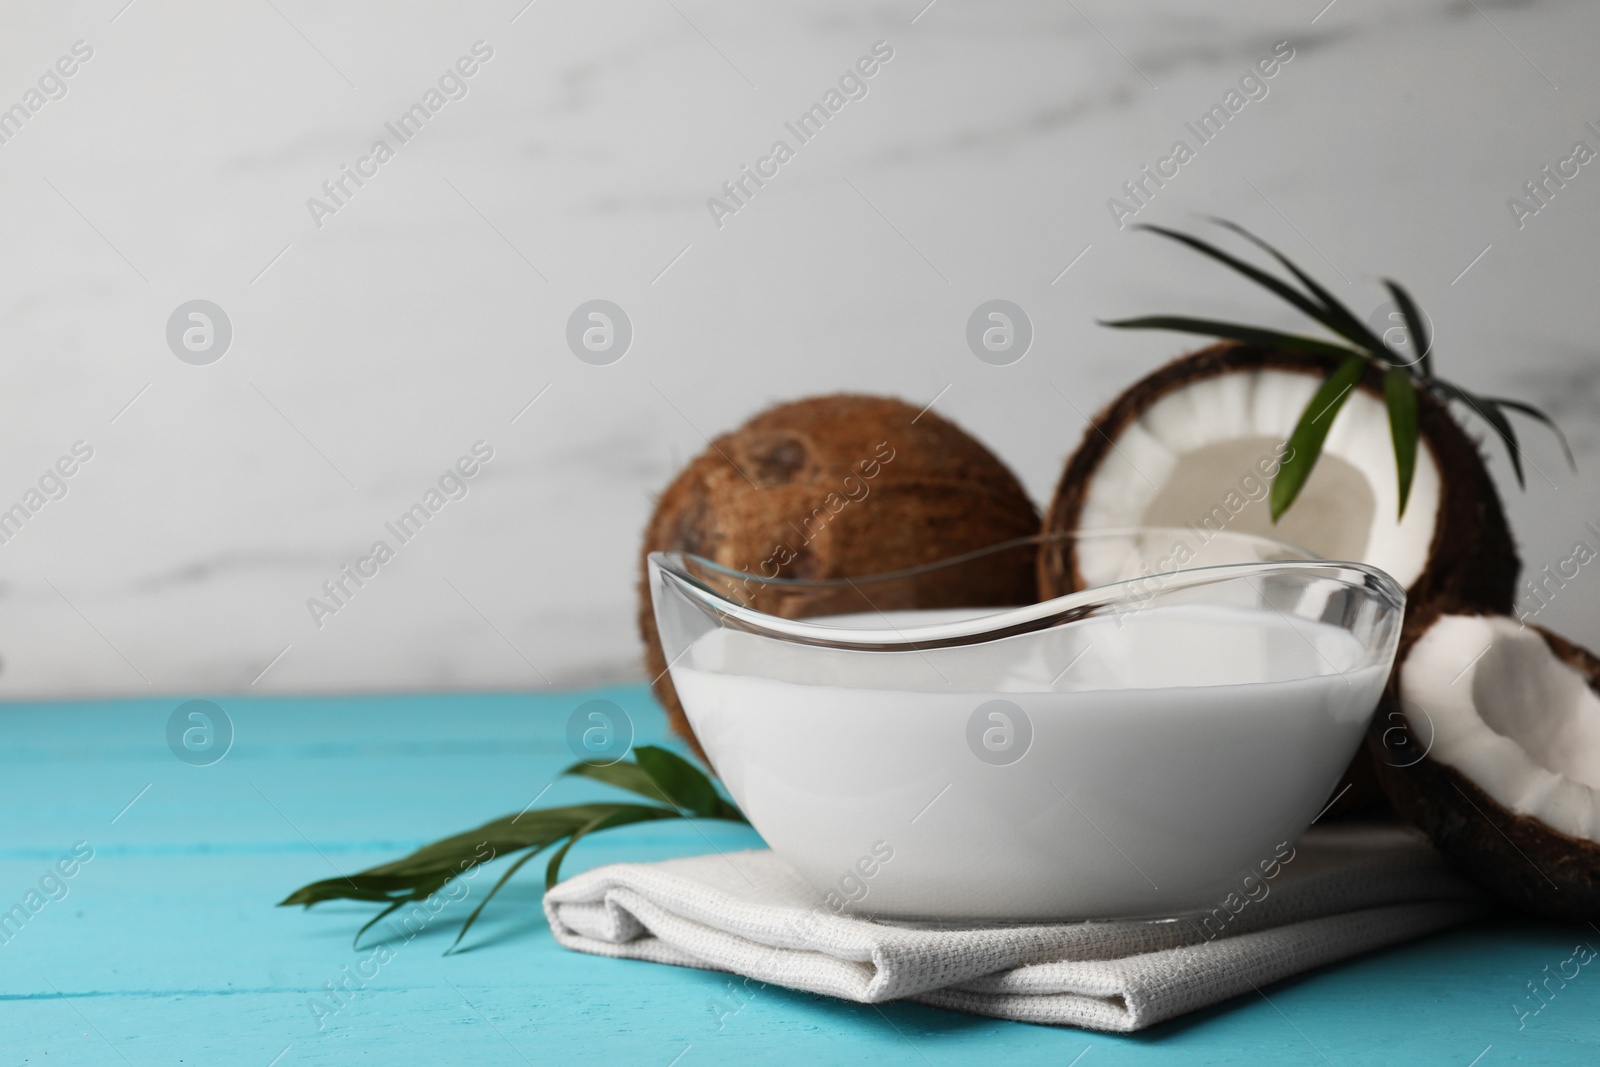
(1519, 860)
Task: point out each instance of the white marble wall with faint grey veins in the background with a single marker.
(375, 350)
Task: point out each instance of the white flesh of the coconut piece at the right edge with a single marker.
(1511, 717)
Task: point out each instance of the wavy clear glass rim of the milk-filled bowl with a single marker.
(1006, 621)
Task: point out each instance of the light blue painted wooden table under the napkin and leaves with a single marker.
(167, 949)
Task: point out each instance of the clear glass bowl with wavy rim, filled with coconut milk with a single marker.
(1126, 751)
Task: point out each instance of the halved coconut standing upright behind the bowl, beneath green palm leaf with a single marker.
(1466, 557)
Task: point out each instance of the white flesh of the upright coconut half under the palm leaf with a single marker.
(1198, 460)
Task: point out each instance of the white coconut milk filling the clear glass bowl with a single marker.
(1162, 749)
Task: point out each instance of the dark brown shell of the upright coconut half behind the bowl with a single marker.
(1473, 559)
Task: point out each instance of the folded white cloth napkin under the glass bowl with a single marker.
(1342, 892)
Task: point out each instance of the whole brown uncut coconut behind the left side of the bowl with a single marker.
(842, 487)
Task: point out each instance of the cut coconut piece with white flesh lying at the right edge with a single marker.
(1490, 743)
